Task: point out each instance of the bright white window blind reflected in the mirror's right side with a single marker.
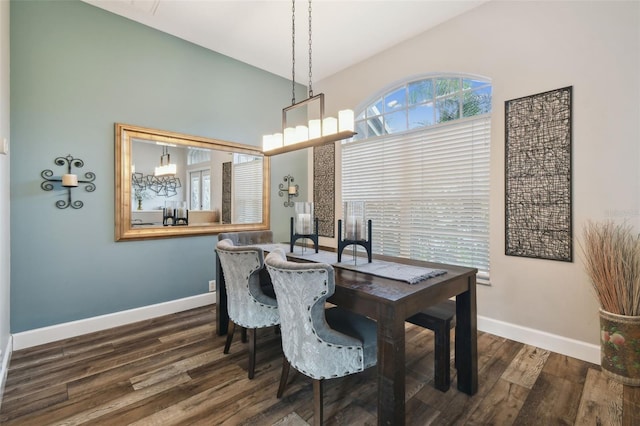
(247, 191)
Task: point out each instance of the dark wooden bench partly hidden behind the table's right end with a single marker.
(440, 318)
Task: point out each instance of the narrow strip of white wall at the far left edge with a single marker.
(5, 258)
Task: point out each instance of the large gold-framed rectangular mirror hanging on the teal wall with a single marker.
(170, 184)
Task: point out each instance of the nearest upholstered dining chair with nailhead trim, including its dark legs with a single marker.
(318, 342)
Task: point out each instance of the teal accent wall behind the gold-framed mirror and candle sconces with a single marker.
(75, 71)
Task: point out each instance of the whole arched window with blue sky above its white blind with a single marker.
(420, 161)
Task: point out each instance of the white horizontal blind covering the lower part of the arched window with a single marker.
(426, 192)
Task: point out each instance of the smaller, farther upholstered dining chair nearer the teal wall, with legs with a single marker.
(248, 305)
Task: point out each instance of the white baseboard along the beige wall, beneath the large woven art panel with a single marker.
(562, 345)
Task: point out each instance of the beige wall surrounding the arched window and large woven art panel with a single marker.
(528, 48)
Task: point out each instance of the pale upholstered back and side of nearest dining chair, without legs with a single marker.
(309, 344)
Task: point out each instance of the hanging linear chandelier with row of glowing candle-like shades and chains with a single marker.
(319, 130)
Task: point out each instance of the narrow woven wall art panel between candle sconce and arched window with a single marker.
(324, 167)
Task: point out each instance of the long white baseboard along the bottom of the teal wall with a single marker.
(67, 330)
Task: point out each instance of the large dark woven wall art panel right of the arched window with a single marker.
(538, 213)
